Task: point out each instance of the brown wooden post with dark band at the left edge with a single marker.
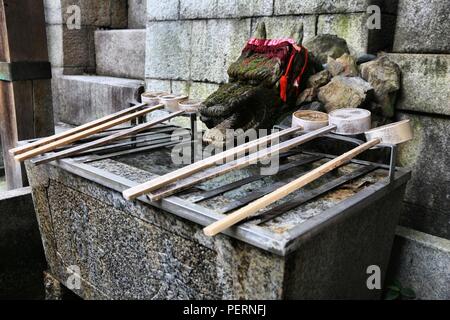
(25, 90)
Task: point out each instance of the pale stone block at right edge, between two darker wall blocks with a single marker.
(425, 82)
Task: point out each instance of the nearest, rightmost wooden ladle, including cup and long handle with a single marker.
(394, 133)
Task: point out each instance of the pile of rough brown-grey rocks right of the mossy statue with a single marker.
(345, 81)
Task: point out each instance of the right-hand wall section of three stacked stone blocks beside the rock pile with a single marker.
(422, 49)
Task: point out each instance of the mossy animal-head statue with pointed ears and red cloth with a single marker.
(264, 85)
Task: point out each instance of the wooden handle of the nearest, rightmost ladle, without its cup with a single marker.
(282, 192)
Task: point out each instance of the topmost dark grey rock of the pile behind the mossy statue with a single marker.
(327, 45)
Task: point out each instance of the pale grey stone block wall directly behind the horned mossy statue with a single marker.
(190, 43)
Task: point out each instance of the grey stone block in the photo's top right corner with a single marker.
(422, 26)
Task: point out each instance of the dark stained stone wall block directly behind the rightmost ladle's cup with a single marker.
(428, 192)
